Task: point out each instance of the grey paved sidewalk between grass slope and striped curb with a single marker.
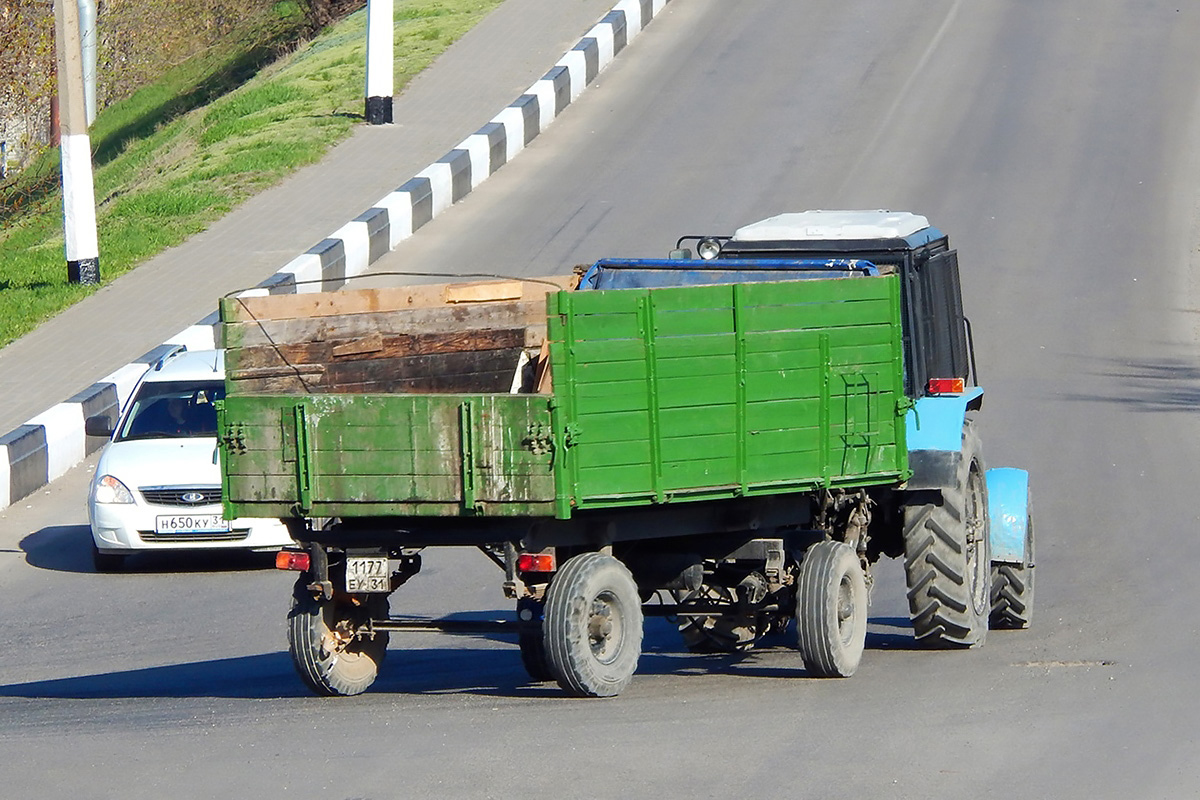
(477, 77)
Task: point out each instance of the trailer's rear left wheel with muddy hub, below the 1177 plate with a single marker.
(329, 645)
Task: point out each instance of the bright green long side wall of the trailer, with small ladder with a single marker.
(700, 393)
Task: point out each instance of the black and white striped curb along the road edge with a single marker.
(50, 444)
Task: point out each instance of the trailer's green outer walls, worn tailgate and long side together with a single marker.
(662, 395)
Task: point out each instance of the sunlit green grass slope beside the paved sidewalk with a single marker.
(178, 155)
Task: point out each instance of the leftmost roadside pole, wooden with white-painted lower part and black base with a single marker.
(79, 195)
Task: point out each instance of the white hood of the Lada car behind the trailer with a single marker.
(163, 462)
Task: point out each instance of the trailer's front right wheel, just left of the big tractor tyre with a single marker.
(831, 610)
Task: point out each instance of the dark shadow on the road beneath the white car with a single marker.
(68, 549)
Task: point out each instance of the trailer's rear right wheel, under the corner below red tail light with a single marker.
(593, 627)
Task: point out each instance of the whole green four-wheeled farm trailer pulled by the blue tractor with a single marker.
(731, 455)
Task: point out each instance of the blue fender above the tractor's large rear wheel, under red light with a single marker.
(934, 437)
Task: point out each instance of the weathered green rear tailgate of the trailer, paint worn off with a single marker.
(363, 455)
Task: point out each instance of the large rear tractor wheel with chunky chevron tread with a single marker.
(949, 558)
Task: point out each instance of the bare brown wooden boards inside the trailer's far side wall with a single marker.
(471, 338)
